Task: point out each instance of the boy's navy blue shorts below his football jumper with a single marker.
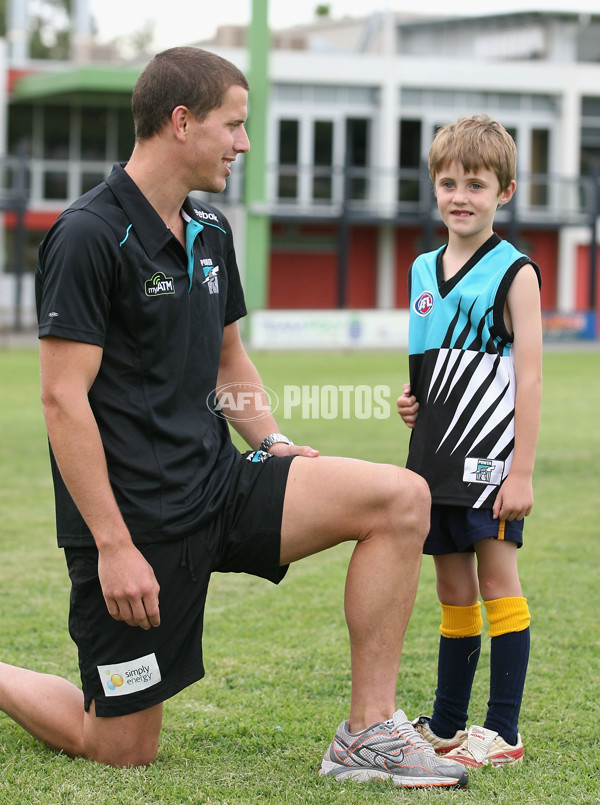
(455, 529)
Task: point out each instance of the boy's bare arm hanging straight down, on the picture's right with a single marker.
(515, 498)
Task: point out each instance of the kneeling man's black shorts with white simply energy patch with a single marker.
(125, 669)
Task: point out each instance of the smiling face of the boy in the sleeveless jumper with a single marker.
(468, 201)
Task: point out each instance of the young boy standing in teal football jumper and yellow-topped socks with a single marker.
(475, 355)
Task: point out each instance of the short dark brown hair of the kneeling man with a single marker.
(181, 76)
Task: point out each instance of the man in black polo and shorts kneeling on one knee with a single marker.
(138, 302)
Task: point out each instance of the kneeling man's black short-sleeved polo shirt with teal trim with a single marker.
(110, 273)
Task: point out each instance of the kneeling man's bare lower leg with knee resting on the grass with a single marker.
(51, 709)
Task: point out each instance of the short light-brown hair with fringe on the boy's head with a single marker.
(475, 142)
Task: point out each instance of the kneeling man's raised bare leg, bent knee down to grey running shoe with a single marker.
(386, 509)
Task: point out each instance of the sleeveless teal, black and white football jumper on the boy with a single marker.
(462, 373)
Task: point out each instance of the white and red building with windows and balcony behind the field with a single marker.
(354, 105)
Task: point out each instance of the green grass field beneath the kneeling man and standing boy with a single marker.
(255, 729)
